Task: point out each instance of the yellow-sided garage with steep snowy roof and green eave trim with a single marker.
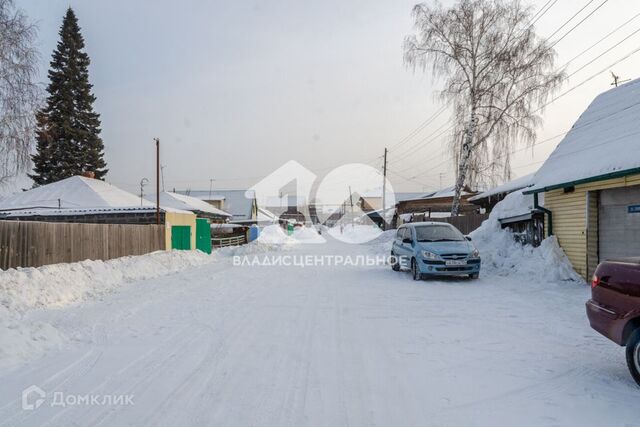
(591, 182)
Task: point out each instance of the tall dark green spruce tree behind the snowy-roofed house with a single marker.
(68, 139)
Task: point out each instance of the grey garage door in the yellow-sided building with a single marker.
(619, 223)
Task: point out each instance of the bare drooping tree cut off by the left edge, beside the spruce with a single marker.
(19, 92)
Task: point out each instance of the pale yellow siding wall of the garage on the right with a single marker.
(569, 219)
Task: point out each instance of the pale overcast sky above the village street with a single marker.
(234, 89)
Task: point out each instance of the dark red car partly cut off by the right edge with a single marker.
(614, 307)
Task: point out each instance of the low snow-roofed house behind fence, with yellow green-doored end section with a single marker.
(81, 199)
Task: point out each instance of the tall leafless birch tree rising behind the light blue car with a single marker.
(497, 75)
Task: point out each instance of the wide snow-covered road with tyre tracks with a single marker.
(350, 345)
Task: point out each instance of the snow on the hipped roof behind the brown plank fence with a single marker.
(73, 192)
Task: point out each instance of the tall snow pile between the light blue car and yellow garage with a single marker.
(503, 256)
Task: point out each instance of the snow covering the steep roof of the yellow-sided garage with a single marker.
(604, 140)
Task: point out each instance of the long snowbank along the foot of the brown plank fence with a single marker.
(53, 286)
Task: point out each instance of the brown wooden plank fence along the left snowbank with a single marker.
(33, 244)
